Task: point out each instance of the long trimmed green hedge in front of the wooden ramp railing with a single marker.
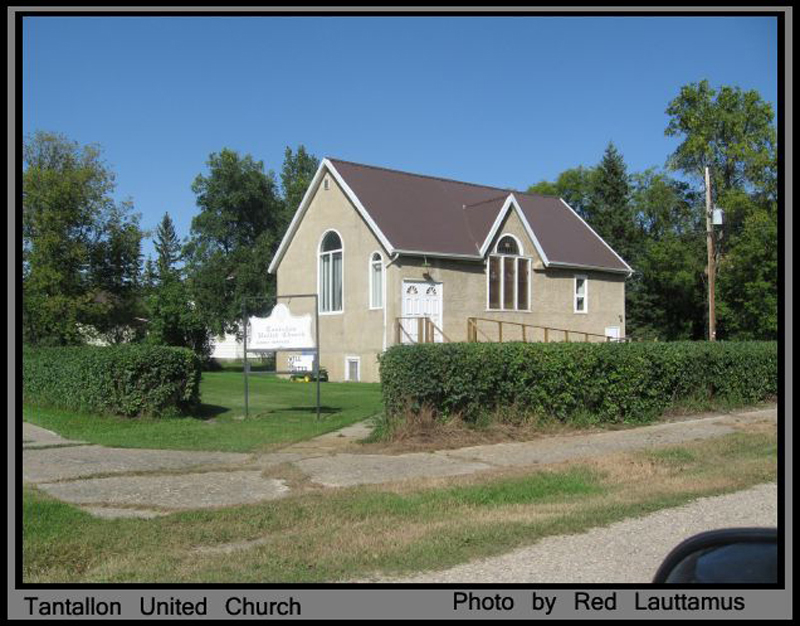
(613, 382)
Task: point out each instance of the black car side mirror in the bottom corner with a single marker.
(736, 555)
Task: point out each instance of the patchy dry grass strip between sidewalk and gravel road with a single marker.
(349, 534)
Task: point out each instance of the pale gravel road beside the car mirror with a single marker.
(625, 552)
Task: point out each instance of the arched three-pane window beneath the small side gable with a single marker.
(508, 274)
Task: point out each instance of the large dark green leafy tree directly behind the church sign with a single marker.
(232, 238)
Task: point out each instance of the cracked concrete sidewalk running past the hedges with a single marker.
(125, 482)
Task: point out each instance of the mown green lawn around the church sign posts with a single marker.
(281, 413)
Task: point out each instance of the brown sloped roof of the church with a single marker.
(425, 214)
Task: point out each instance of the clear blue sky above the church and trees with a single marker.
(498, 101)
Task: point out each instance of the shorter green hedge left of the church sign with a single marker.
(128, 380)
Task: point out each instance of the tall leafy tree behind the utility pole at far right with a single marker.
(732, 132)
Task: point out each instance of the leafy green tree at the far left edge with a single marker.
(80, 249)
